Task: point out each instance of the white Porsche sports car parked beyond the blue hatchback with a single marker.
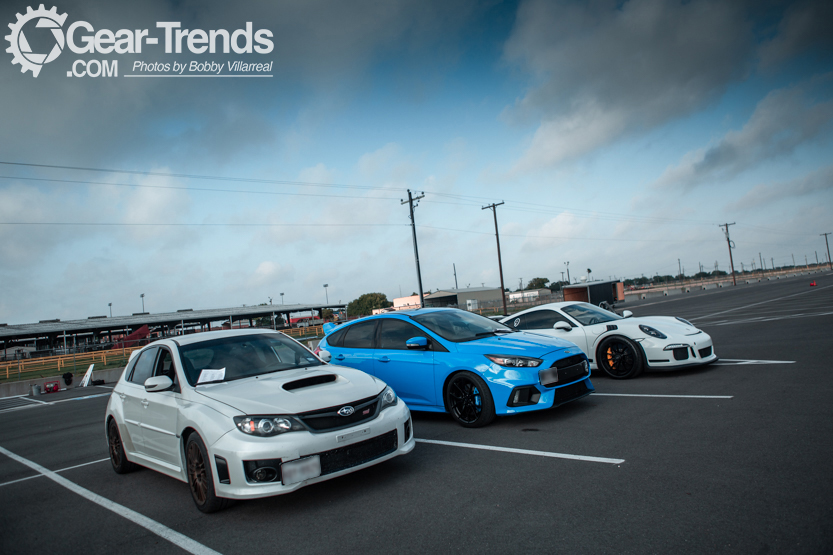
(621, 346)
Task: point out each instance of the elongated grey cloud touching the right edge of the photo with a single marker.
(783, 121)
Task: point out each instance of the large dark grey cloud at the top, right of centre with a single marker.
(602, 69)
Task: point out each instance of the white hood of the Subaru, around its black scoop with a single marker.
(265, 394)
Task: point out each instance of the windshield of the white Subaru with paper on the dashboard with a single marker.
(242, 356)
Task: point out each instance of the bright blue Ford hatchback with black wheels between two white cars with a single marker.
(450, 360)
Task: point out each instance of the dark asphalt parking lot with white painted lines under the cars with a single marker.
(733, 457)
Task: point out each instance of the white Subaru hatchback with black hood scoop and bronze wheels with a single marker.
(248, 414)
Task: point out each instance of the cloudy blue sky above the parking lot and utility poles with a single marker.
(619, 134)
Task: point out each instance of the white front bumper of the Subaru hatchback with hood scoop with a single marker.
(235, 448)
